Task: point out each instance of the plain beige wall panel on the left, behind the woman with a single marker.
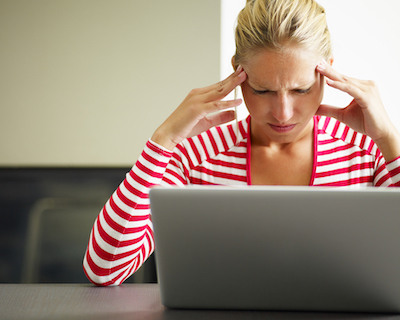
(86, 82)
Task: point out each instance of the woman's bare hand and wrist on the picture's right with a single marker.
(365, 114)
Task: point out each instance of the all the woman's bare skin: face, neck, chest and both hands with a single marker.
(282, 92)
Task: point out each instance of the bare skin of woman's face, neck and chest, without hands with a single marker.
(283, 91)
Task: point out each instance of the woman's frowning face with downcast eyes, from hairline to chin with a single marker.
(282, 92)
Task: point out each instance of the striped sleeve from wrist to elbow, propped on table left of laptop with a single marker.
(122, 236)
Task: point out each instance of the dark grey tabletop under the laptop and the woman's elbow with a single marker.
(128, 301)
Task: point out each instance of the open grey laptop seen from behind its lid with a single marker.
(278, 248)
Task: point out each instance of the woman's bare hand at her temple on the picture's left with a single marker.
(192, 117)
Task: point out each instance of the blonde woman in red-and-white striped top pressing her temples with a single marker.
(283, 59)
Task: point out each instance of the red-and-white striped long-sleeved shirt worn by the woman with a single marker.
(122, 235)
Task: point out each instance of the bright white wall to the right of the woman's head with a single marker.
(365, 37)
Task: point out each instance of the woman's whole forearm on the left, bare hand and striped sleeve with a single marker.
(122, 235)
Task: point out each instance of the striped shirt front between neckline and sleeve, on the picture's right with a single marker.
(346, 158)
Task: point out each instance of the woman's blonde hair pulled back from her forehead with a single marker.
(274, 24)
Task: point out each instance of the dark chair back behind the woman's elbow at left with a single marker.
(58, 232)
